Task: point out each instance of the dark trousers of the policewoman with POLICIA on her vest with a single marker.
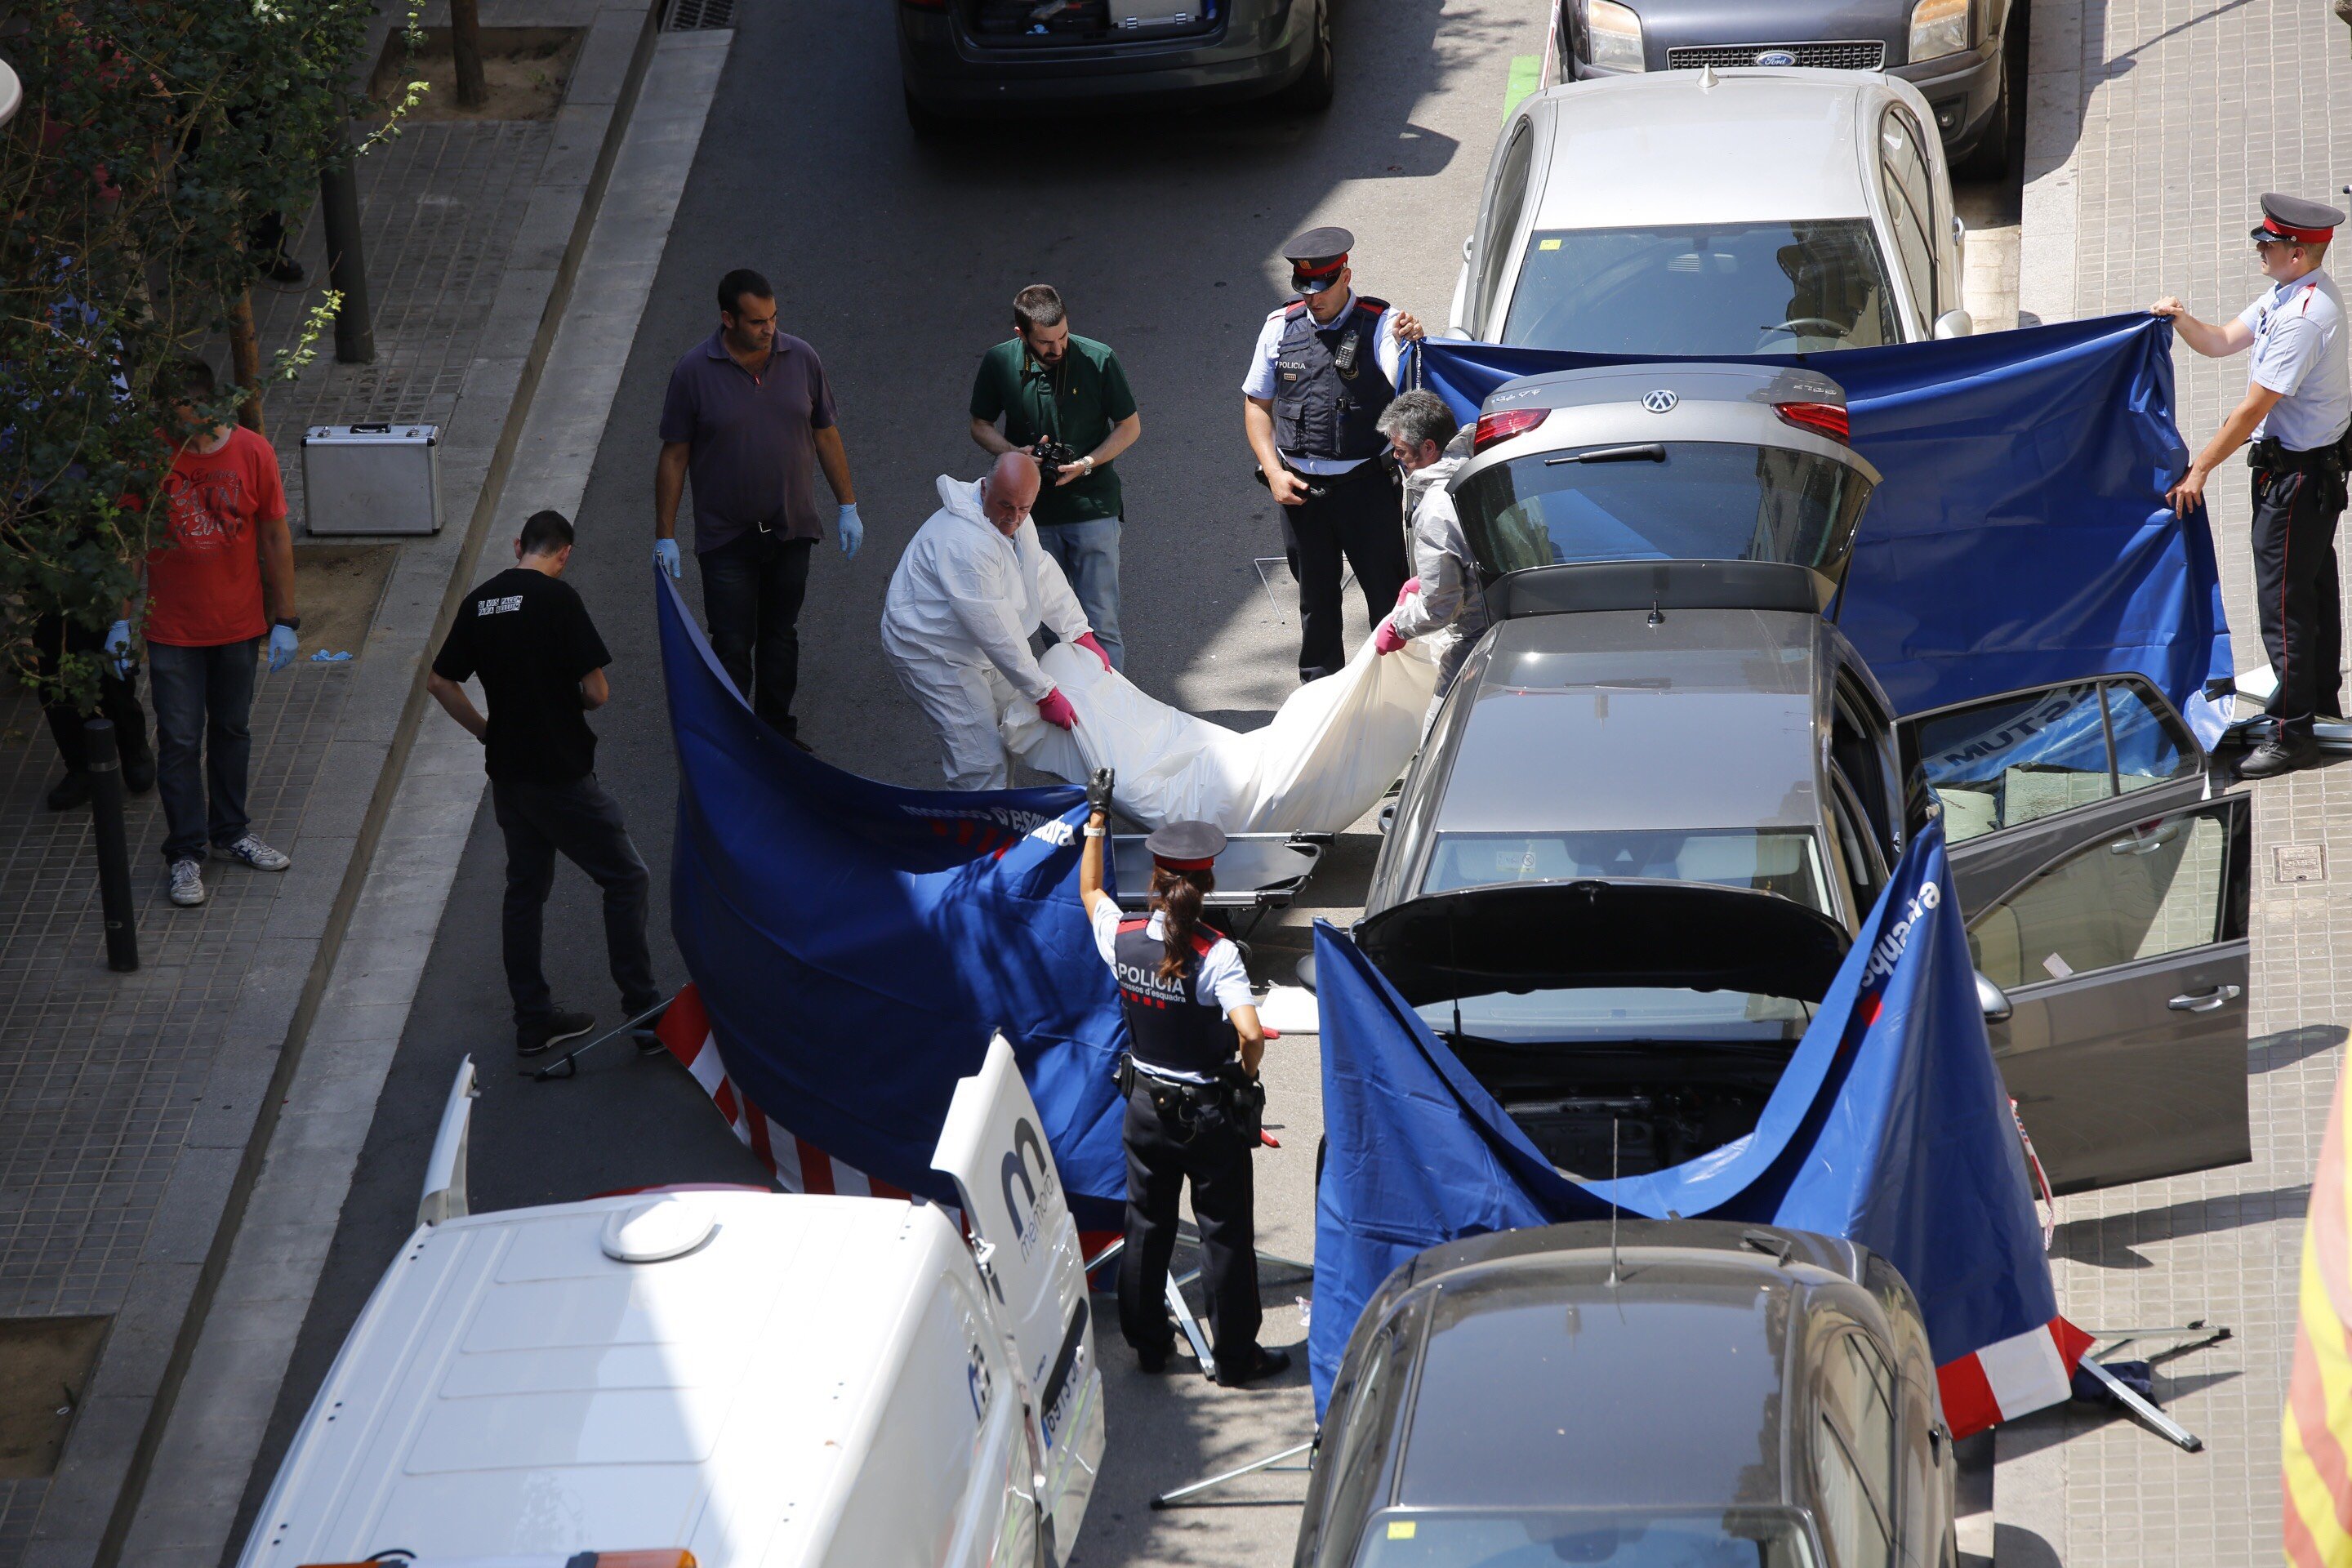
(1163, 1155)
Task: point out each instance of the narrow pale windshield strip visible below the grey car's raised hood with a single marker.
(1622, 1012)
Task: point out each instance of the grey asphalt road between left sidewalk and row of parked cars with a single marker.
(897, 262)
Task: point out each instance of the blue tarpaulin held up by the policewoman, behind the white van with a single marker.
(857, 944)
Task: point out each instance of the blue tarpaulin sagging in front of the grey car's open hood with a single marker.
(1890, 1127)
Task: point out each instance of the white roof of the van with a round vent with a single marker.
(514, 1388)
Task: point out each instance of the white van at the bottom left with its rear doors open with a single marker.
(723, 1379)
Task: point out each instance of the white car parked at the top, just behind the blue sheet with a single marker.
(1716, 213)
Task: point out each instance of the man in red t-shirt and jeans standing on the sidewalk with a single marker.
(220, 582)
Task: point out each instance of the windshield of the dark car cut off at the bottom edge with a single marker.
(1462, 1539)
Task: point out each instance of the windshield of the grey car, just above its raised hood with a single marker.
(1775, 862)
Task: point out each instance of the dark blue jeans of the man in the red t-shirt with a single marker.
(203, 742)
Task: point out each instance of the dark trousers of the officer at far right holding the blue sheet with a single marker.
(2297, 589)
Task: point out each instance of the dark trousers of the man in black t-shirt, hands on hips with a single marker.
(584, 826)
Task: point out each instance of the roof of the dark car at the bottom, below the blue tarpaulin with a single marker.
(1563, 1372)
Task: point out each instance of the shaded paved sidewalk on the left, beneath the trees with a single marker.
(131, 1106)
